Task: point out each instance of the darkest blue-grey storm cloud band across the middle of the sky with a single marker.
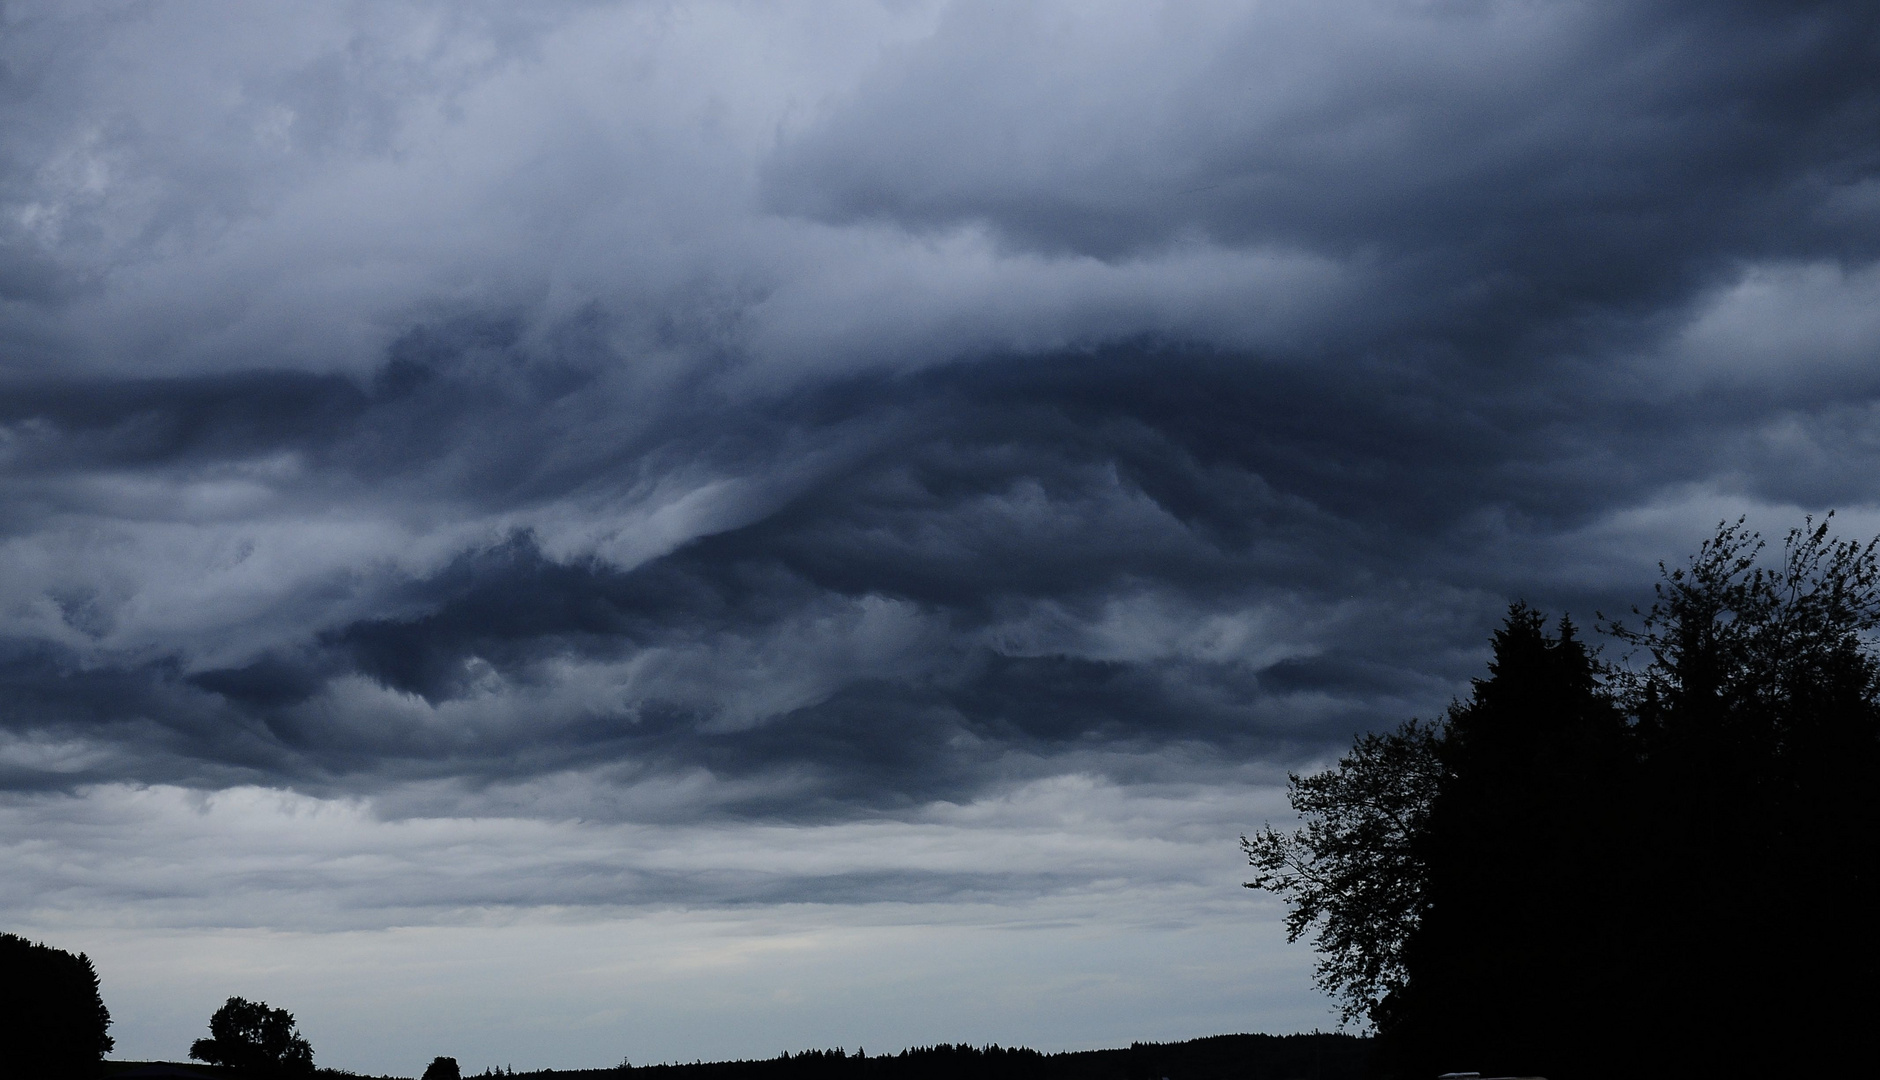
(975, 496)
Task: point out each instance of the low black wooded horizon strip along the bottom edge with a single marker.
(1315, 1056)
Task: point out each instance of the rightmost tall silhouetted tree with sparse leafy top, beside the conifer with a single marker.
(1757, 701)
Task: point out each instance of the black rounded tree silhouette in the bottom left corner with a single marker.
(52, 1019)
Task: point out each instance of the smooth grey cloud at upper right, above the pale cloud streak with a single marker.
(1526, 168)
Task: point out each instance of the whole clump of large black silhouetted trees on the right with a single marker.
(1663, 863)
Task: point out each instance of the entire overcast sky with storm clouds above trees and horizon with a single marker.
(554, 533)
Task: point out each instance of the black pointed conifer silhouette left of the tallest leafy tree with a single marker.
(1522, 853)
